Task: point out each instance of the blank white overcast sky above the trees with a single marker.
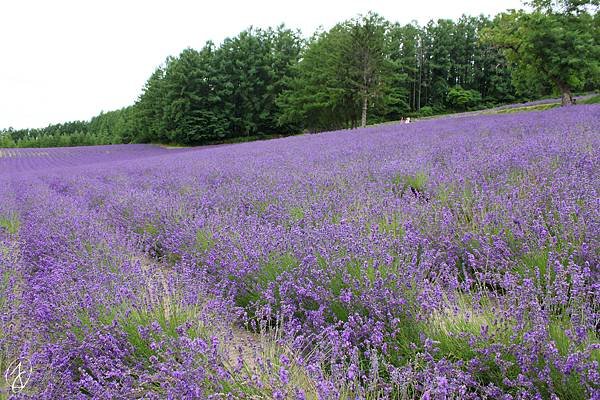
(64, 60)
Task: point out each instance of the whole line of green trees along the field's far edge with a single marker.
(266, 82)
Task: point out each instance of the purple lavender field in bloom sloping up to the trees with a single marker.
(455, 258)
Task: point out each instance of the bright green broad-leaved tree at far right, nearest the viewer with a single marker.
(557, 43)
